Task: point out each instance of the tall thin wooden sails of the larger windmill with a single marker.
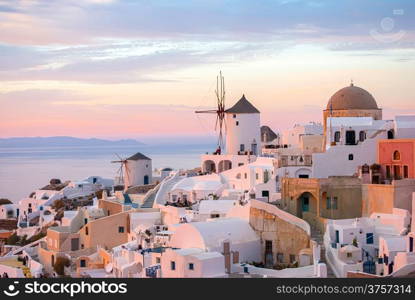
(220, 111)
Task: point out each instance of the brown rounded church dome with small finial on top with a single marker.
(352, 97)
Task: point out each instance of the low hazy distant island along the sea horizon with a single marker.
(64, 141)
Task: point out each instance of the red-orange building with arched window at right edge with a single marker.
(397, 158)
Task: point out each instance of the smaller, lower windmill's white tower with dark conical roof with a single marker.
(137, 170)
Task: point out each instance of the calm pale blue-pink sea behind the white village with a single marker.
(25, 169)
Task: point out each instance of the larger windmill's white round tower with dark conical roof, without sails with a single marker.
(243, 129)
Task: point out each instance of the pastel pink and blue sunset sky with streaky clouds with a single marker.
(139, 69)
